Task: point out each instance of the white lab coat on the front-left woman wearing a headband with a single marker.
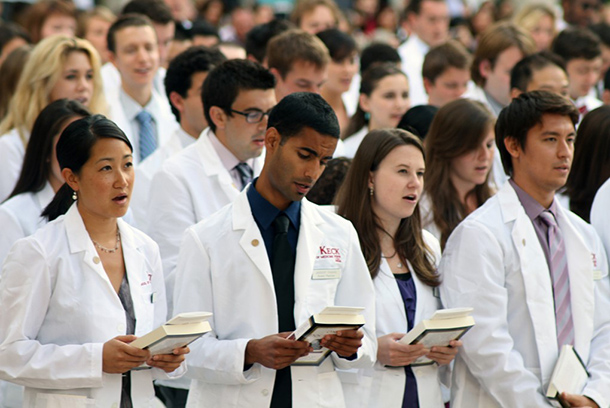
(59, 307)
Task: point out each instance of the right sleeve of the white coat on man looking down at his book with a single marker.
(356, 289)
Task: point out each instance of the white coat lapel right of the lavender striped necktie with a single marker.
(581, 285)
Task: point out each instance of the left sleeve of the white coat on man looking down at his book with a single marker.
(211, 360)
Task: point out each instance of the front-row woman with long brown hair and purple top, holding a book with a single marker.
(380, 196)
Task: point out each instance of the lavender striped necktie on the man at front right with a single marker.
(561, 280)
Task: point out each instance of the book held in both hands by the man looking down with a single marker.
(329, 321)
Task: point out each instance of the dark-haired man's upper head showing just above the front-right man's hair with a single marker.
(543, 71)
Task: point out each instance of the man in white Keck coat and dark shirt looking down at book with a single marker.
(267, 262)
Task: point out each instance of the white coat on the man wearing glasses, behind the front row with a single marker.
(191, 185)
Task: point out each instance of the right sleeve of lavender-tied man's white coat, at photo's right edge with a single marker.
(599, 356)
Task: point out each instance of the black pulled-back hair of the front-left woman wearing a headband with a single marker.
(74, 150)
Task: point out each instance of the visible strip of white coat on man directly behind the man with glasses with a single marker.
(146, 171)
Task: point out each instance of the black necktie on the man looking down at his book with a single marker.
(282, 268)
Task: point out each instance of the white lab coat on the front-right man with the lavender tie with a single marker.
(494, 263)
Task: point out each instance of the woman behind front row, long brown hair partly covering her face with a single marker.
(459, 152)
